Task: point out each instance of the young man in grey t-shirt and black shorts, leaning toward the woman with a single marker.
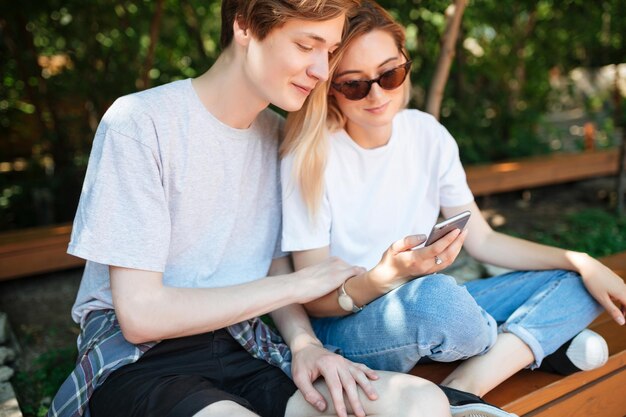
(179, 220)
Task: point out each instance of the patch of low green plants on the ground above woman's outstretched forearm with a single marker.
(596, 232)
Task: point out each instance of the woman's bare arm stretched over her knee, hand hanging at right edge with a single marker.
(487, 245)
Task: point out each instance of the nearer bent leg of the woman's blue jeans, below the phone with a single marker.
(429, 317)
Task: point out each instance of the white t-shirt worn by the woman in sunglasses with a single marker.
(373, 197)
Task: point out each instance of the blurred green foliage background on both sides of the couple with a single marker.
(526, 77)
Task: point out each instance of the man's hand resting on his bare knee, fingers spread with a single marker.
(341, 376)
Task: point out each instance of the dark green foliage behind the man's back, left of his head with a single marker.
(62, 65)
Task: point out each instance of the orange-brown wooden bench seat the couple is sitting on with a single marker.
(597, 393)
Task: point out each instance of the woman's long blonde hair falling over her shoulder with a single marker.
(307, 129)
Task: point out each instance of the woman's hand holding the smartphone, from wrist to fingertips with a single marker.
(401, 263)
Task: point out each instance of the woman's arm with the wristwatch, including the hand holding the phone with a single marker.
(398, 265)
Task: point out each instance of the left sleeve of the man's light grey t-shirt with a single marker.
(122, 217)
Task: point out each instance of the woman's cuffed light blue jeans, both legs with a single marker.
(433, 317)
